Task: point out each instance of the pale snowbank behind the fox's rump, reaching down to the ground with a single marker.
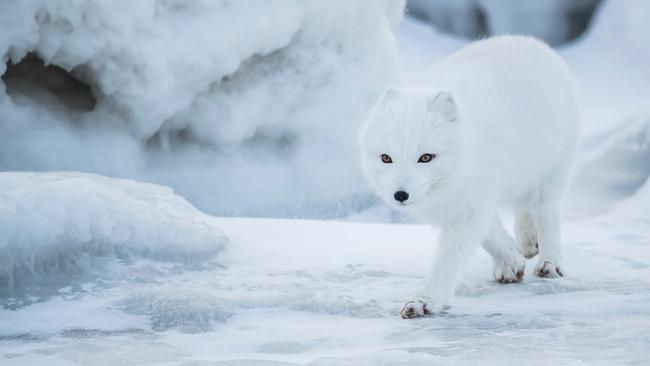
(610, 67)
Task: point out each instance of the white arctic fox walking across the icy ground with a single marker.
(494, 124)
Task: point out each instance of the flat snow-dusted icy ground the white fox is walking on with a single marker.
(327, 292)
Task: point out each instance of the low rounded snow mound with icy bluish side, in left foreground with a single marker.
(60, 226)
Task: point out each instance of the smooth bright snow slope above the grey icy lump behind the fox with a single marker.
(611, 67)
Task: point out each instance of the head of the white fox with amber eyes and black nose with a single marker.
(411, 147)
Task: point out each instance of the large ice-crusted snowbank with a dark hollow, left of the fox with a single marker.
(243, 107)
